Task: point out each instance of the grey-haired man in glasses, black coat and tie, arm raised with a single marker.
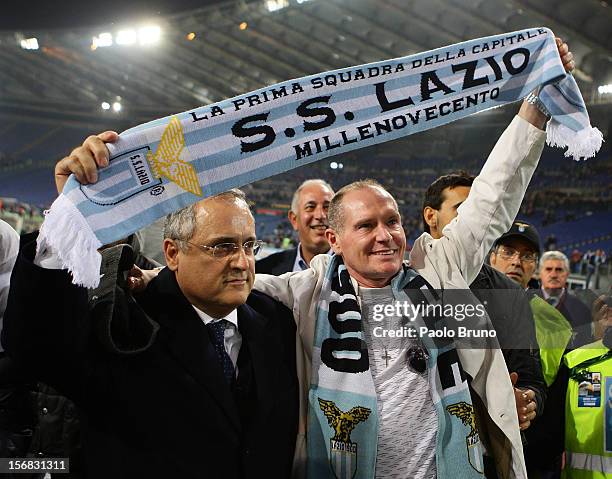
(195, 377)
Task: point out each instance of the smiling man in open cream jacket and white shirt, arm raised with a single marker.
(366, 230)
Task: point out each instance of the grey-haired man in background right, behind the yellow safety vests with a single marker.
(554, 270)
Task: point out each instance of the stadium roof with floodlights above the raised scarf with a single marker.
(239, 46)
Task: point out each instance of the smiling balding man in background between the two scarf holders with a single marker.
(308, 216)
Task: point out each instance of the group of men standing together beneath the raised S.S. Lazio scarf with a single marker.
(328, 359)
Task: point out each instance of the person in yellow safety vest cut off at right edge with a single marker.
(588, 410)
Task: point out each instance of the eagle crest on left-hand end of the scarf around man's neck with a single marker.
(343, 452)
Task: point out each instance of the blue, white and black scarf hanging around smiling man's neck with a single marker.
(342, 408)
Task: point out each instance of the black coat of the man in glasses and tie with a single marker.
(164, 410)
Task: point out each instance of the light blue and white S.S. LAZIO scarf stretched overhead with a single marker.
(166, 164)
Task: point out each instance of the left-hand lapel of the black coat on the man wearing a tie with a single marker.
(188, 341)
